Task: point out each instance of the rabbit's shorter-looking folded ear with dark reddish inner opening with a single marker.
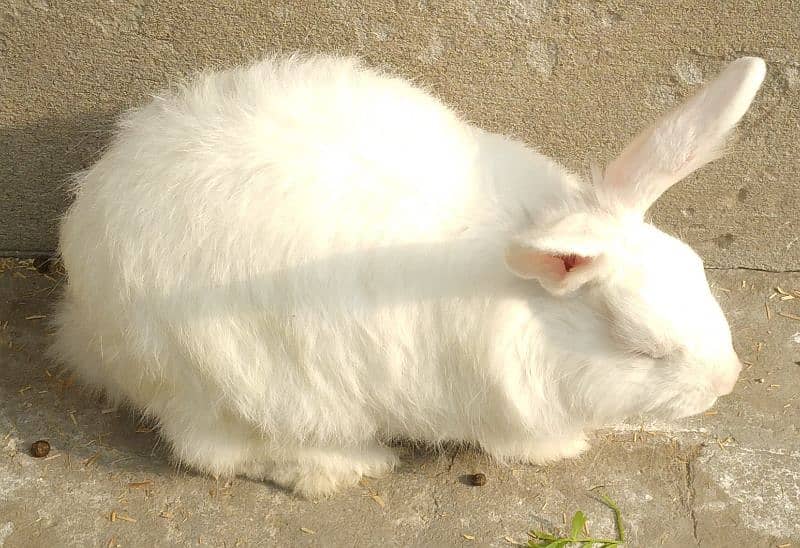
(563, 257)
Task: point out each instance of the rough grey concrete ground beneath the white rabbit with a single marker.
(728, 478)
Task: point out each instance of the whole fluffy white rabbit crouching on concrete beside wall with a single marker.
(288, 265)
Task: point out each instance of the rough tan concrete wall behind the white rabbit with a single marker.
(576, 79)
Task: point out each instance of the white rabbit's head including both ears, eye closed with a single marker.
(662, 330)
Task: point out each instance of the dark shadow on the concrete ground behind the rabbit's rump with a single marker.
(41, 401)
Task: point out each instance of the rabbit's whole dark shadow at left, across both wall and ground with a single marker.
(38, 400)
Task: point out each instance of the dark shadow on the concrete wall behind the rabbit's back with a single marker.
(36, 162)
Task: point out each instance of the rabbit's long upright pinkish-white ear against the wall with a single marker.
(683, 140)
